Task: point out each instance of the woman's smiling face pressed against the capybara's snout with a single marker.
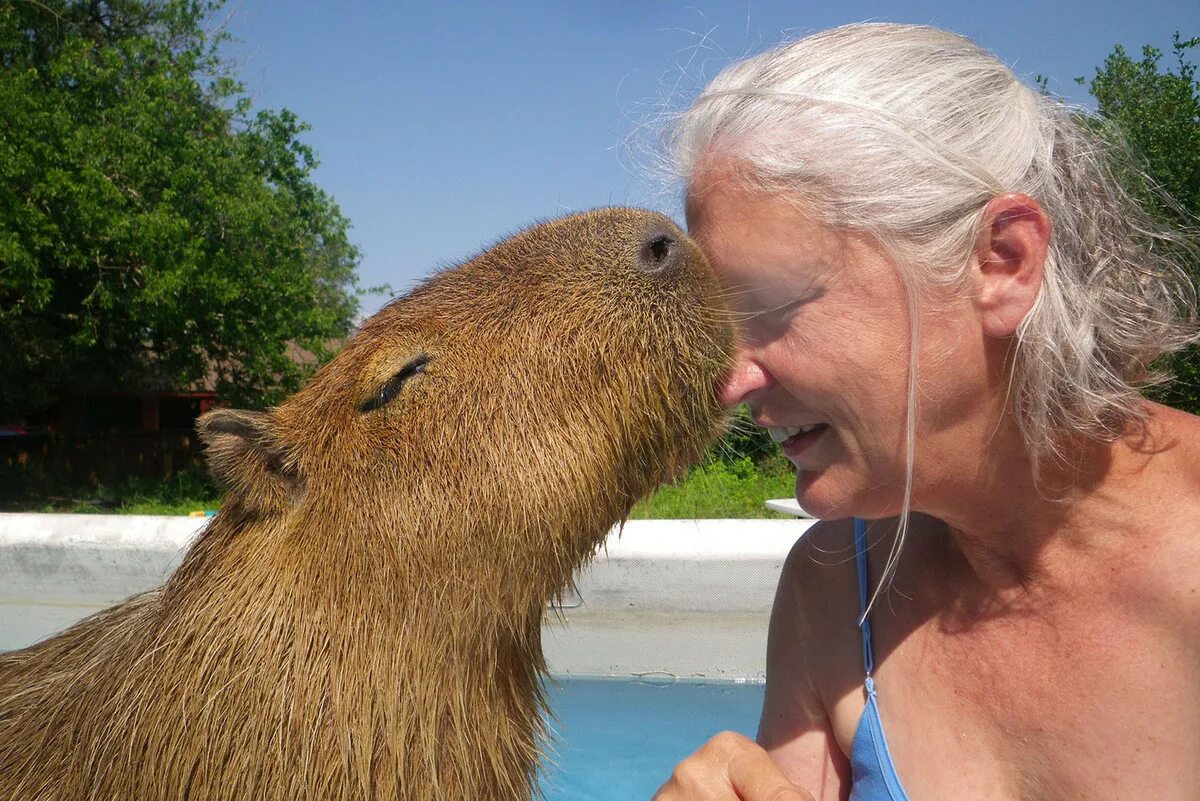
(824, 353)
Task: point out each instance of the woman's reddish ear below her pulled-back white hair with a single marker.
(1010, 255)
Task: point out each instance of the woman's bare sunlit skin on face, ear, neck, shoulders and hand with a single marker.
(1040, 641)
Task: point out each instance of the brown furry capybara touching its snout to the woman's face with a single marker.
(362, 619)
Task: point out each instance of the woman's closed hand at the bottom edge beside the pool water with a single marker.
(730, 768)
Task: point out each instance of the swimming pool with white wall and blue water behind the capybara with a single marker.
(663, 647)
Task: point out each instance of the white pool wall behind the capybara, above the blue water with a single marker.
(688, 599)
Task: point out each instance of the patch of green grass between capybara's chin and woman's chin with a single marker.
(722, 490)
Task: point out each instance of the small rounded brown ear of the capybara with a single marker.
(247, 456)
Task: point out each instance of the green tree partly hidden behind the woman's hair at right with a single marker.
(1156, 112)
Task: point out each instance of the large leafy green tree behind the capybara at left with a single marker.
(153, 230)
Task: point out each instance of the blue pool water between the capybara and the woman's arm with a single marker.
(619, 740)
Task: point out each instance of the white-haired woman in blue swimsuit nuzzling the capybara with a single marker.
(949, 308)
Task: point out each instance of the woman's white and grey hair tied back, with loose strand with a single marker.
(905, 134)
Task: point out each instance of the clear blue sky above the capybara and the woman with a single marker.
(445, 127)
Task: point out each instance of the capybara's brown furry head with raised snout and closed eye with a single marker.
(514, 406)
